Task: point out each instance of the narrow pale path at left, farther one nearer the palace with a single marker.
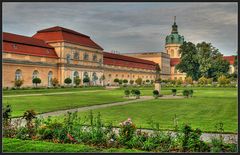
(56, 93)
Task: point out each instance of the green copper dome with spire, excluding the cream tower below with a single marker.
(174, 37)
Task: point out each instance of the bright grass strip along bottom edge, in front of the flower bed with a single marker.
(16, 145)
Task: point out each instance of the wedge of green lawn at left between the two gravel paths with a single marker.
(47, 103)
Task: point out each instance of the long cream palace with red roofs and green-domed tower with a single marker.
(60, 53)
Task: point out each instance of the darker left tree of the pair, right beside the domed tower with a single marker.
(189, 60)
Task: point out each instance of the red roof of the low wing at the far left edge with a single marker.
(18, 44)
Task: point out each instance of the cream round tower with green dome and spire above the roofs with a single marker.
(174, 41)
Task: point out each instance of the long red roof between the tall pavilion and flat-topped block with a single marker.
(126, 61)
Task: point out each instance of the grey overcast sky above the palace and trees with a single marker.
(130, 27)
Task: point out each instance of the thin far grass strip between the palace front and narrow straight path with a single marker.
(43, 91)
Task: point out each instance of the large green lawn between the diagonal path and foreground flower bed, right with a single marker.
(208, 107)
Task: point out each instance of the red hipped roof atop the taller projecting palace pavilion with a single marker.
(58, 33)
